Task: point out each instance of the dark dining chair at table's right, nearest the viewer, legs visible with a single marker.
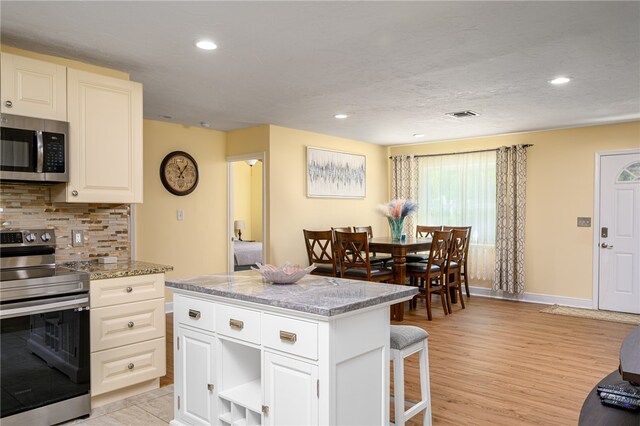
(430, 275)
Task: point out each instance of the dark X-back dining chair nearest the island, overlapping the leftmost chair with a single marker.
(354, 258)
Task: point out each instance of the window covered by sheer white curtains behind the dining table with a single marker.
(460, 190)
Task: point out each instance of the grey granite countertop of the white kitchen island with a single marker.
(312, 294)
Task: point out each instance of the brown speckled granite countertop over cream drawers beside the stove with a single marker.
(100, 271)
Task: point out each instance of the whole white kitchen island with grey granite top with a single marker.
(247, 352)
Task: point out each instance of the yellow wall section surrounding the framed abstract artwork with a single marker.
(291, 209)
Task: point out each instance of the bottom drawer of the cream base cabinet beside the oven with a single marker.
(127, 365)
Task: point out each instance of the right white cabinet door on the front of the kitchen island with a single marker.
(290, 391)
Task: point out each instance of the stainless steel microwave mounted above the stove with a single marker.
(33, 149)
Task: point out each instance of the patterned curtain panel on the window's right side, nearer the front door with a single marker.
(511, 179)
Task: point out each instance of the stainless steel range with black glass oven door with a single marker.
(44, 324)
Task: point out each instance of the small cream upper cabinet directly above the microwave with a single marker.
(33, 88)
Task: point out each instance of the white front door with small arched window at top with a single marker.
(619, 233)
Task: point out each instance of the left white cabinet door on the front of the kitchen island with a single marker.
(195, 365)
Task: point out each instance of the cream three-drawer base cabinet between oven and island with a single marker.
(127, 336)
